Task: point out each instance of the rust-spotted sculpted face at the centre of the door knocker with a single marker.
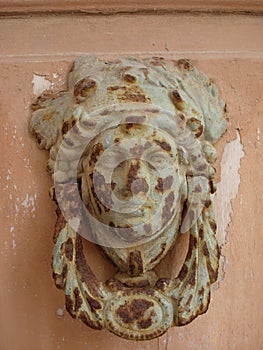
(133, 178)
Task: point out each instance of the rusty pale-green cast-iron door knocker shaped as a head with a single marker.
(132, 140)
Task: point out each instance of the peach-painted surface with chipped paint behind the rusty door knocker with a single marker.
(35, 53)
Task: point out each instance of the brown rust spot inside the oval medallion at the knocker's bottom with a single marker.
(134, 312)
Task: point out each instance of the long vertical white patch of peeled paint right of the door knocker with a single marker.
(227, 188)
